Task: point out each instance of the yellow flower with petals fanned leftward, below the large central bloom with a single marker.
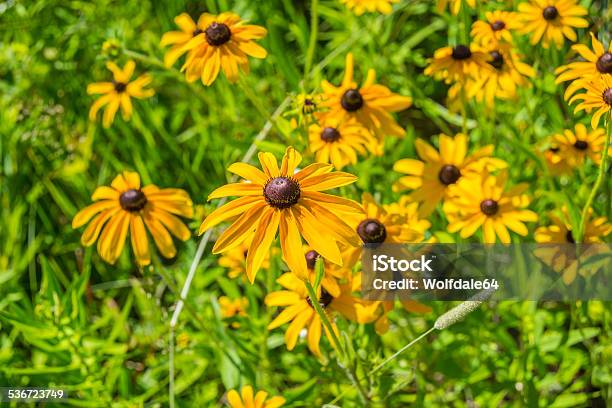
(299, 310)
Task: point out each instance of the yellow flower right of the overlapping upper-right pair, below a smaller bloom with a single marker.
(502, 82)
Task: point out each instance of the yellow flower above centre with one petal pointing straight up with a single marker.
(369, 104)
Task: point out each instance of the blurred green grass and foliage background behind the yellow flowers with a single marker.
(101, 332)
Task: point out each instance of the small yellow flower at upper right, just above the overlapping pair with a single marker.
(497, 28)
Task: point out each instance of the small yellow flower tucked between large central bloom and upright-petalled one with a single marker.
(338, 143)
